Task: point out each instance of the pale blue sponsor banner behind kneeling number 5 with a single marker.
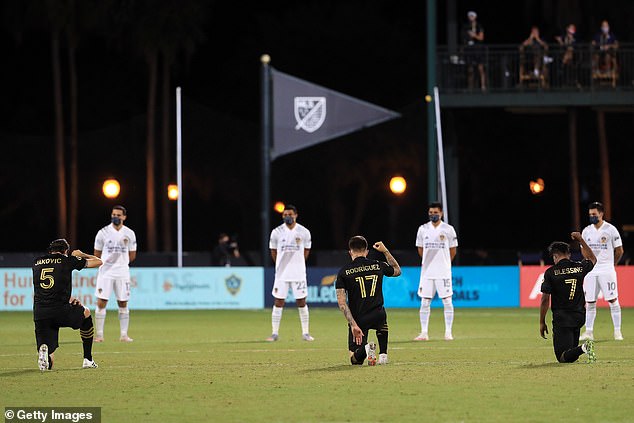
(166, 288)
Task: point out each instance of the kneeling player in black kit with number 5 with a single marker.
(53, 306)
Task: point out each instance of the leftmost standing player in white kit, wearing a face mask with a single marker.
(115, 244)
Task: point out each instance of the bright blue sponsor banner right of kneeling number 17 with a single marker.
(490, 286)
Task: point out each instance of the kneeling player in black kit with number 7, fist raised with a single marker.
(563, 289)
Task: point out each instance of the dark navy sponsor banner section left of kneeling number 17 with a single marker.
(321, 287)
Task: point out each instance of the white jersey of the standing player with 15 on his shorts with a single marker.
(436, 242)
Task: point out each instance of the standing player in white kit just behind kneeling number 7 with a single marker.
(605, 241)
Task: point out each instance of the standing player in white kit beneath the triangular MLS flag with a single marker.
(290, 245)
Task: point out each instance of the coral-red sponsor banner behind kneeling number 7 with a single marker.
(531, 278)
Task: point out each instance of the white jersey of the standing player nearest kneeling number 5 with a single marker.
(115, 246)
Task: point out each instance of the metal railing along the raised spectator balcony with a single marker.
(513, 68)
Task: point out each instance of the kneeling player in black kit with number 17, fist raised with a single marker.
(362, 281)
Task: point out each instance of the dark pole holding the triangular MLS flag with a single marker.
(266, 125)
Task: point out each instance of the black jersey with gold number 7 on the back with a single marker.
(564, 282)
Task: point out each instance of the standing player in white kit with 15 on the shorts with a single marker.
(437, 243)
